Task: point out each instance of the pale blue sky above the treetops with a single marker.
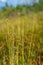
(14, 2)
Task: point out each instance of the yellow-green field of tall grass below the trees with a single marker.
(20, 38)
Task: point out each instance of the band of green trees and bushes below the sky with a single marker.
(10, 11)
